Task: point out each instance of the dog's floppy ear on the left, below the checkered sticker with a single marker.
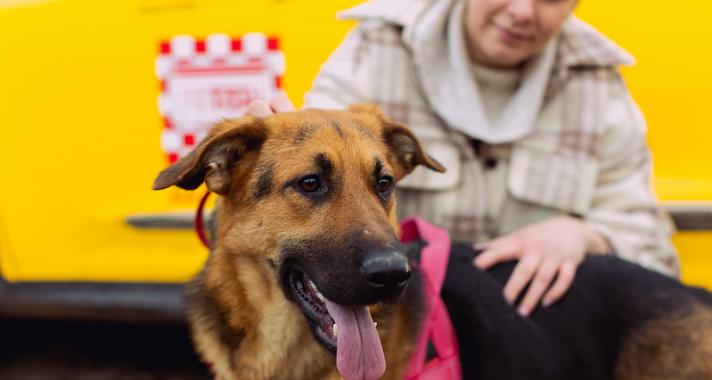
(213, 159)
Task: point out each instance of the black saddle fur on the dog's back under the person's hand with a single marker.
(578, 337)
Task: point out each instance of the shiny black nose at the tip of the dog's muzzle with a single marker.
(386, 268)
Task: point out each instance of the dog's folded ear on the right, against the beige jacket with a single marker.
(407, 149)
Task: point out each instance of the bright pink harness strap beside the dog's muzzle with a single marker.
(436, 326)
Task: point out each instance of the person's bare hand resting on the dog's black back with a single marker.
(548, 252)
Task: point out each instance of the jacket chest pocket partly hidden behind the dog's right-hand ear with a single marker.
(423, 178)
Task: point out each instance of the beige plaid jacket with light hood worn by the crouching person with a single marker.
(581, 152)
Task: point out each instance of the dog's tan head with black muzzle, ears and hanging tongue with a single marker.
(308, 195)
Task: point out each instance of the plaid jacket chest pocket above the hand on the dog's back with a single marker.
(562, 182)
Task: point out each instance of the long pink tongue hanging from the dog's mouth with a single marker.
(359, 355)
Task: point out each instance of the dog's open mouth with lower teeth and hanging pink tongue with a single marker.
(346, 330)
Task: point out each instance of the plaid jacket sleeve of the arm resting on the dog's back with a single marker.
(624, 209)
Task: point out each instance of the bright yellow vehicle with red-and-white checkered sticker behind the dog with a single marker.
(86, 125)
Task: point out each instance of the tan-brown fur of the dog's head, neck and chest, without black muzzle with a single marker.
(243, 325)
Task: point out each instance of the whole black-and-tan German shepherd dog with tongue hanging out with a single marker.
(306, 260)
